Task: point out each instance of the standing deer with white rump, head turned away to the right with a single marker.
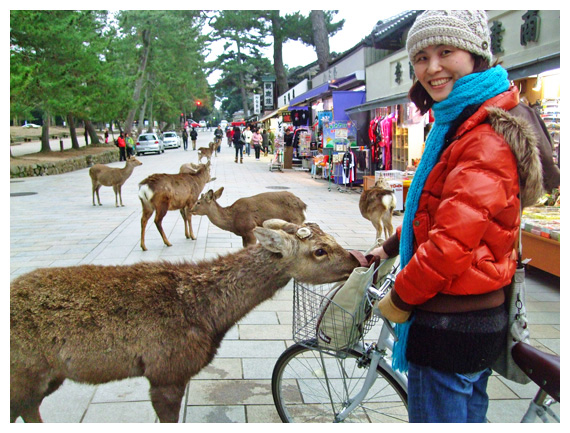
(163, 192)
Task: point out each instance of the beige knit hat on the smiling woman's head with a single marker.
(467, 30)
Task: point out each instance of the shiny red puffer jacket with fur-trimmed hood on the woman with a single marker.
(469, 211)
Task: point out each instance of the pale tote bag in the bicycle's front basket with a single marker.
(343, 311)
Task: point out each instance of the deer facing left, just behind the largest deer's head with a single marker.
(249, 212)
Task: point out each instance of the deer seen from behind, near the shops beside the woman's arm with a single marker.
(377, 205)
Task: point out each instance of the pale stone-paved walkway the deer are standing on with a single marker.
(55, 224)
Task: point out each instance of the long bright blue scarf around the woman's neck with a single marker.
(471, 89)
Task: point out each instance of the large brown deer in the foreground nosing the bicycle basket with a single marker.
(164, 321)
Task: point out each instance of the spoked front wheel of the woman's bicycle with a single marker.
(311, 386)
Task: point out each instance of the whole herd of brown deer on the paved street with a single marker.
(164, 321)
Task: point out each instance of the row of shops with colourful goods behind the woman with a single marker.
(366, 89)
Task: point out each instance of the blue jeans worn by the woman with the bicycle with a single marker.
(438, 396)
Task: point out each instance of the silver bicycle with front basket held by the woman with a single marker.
(313, 382)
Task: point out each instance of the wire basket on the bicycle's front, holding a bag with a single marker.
(340, 326)
